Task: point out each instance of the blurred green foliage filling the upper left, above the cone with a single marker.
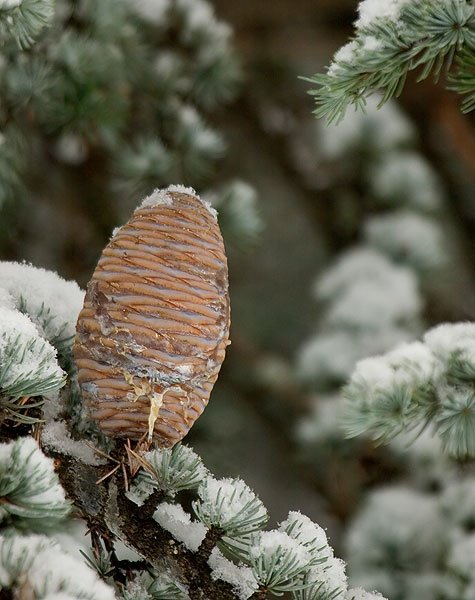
(128, 87)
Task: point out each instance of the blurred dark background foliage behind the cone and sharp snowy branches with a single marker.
(342, 241)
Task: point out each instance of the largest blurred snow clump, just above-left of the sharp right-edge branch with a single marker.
(373, 305)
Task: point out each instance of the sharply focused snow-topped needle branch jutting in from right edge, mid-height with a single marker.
(429, 382)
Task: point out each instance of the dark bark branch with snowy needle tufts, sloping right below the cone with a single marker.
(184, 553)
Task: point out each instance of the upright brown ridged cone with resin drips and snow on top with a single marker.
(152, 334)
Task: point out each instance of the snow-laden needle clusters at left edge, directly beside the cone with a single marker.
(38, 310)
